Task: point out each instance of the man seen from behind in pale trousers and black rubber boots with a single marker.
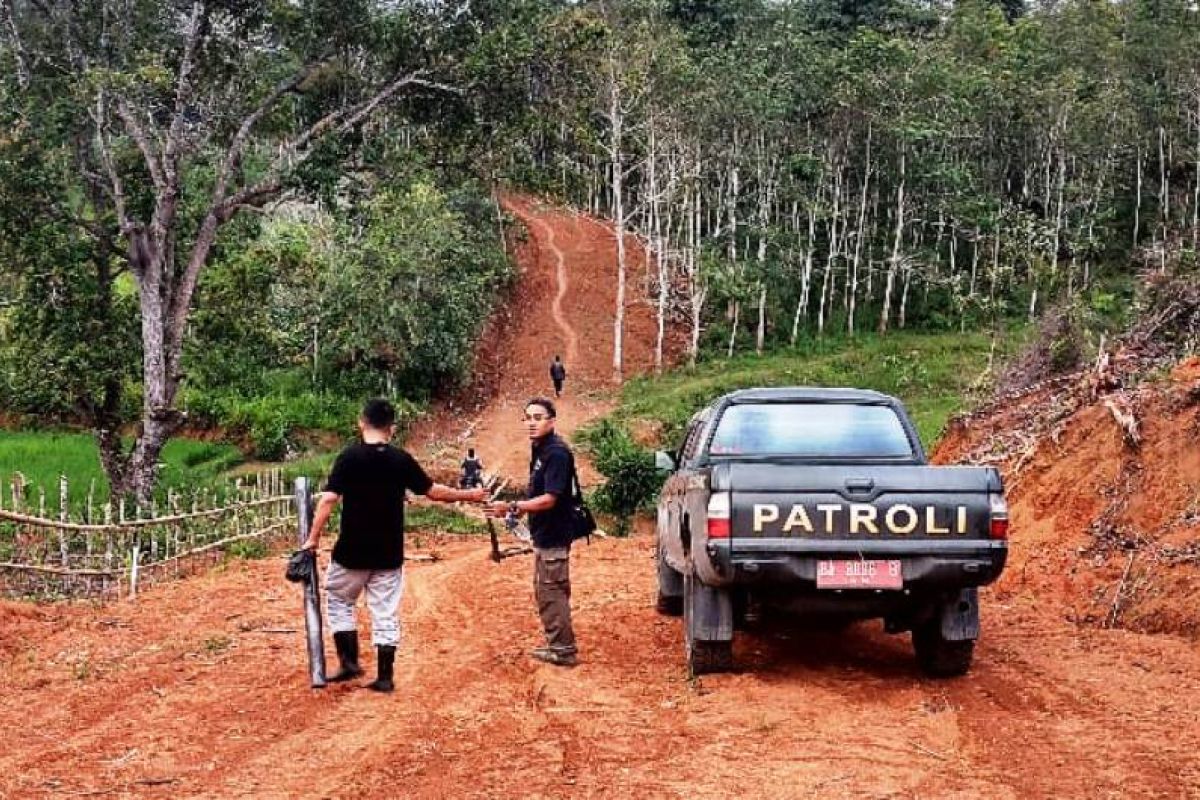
(371, 478)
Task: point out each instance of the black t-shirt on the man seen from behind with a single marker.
(373, 480)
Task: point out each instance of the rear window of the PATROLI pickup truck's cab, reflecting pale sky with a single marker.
(812, 431)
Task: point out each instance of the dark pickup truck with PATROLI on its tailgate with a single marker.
(820, 502)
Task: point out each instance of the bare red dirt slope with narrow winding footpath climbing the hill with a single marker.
(563, 304)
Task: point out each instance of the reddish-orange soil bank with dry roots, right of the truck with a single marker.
(1105, 495)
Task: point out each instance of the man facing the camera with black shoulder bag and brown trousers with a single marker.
(550, 491)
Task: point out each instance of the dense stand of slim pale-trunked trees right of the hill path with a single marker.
(814, 166)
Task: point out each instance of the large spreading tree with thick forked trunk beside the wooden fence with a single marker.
(164, 122)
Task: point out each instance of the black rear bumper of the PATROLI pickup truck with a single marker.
(926, 566)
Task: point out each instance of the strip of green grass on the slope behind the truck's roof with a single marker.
(932, 374)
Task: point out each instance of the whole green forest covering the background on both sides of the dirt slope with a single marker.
(254, 214)
